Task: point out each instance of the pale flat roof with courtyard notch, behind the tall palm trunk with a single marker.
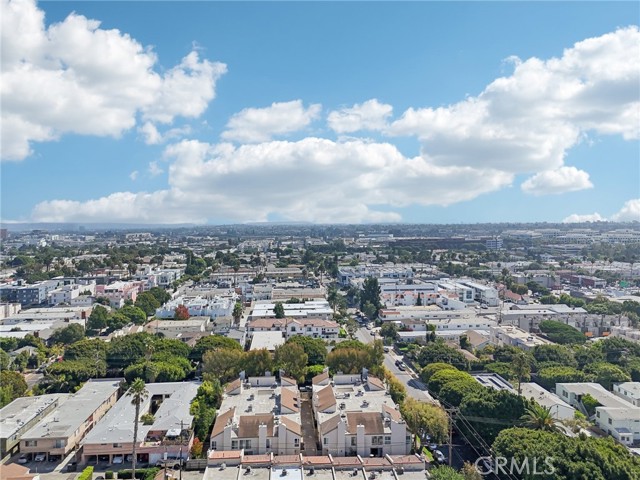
(117, 425)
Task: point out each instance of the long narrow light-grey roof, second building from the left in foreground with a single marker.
(67, 418)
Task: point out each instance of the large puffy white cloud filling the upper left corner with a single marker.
(74, 77)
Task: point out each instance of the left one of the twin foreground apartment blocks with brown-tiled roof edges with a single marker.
(259, 415)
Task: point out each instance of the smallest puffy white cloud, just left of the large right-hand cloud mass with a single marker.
(370, 115)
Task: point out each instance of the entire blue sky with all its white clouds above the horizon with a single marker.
(175, 112)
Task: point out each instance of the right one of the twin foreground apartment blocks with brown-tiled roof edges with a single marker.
(356, 416)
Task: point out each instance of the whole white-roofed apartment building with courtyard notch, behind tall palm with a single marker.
(170, 432)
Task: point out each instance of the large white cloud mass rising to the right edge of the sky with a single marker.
(526, 122)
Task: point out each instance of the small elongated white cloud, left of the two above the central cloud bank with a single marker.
(253, 125)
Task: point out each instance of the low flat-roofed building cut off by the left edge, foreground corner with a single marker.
(21, 415)
